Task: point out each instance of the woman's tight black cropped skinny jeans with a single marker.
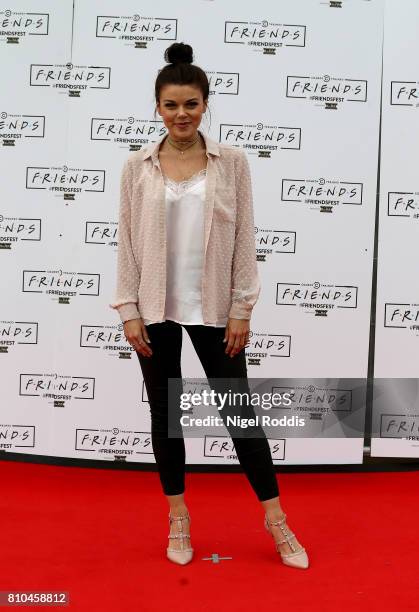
(253, 454)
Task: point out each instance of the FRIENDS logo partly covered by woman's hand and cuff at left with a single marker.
(109, 338)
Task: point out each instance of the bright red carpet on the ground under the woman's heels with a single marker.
(101, 536)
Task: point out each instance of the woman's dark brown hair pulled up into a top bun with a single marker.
(181, 71)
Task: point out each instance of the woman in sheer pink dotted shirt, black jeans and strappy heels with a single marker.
(186, 258)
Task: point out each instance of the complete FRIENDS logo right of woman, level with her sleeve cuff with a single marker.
(316, 297)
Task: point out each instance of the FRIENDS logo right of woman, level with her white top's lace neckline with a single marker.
(321, 194)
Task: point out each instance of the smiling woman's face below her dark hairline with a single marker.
(181, 108)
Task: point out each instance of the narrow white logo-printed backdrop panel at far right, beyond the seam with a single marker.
(396, 405)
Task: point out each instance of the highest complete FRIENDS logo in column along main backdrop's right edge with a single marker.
(328, 90)
